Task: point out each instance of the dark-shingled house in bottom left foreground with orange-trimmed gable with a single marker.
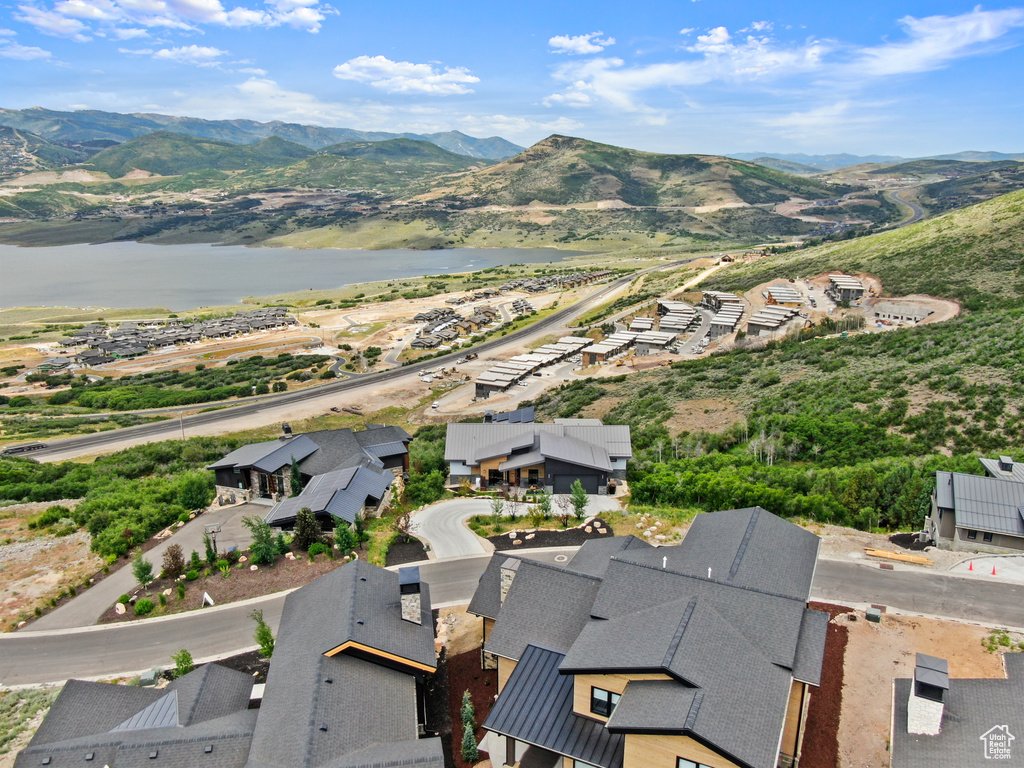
(345, 691)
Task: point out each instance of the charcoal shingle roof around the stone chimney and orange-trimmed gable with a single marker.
(366, 703)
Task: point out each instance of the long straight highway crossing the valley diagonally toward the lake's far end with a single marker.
(207, 423)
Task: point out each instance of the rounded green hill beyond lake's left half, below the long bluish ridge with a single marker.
(174, 154)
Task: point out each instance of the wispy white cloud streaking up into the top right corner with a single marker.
(935, 41)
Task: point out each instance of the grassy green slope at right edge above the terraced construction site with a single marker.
(974, 255)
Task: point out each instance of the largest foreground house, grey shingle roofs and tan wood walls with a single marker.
(631, 656)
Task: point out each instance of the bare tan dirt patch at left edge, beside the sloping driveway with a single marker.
(35, 566)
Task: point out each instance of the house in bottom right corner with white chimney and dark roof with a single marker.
(938, 720)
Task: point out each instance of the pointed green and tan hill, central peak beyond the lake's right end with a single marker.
(563, 170)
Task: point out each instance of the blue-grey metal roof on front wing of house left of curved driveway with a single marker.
(343, 493)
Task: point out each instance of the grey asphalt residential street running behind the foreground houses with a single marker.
(95, 652)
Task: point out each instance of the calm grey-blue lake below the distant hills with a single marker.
(188, 277)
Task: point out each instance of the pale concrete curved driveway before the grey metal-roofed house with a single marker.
(443, 526)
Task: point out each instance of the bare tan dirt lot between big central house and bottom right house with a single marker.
(878, 653)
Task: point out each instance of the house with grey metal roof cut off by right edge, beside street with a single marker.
(979, 515)
